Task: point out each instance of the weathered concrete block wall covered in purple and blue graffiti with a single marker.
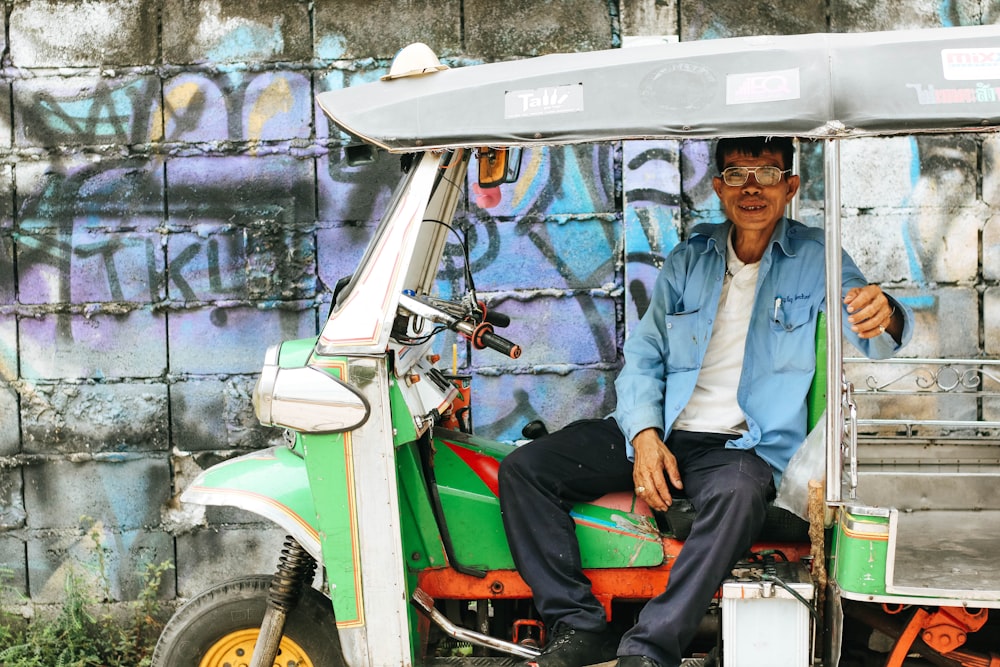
(172, 202)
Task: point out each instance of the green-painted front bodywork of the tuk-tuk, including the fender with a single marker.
(313, 472)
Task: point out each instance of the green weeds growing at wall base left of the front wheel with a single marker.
(78, 638)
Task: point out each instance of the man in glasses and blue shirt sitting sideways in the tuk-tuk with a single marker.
(711, 401)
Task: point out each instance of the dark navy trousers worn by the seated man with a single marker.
(542, 480)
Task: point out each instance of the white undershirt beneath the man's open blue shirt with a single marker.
(713, 407)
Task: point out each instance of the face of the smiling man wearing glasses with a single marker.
(753, 207)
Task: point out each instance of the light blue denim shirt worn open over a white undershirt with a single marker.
(664, 353)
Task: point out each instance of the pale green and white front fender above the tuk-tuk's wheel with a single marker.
(271, 483)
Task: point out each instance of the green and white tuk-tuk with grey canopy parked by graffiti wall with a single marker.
(396, 554)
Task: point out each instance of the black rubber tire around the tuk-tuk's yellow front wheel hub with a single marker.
(238, 605)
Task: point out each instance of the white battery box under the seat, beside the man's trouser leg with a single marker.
(763, 624)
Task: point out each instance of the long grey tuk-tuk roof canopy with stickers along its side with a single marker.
(818, 85)
